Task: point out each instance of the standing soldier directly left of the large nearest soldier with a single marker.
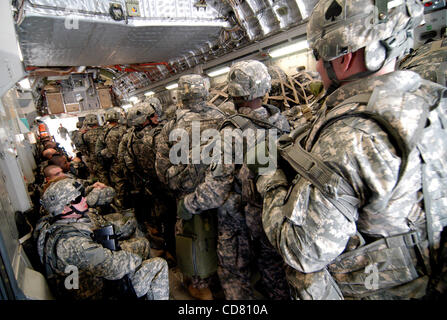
(230, 188)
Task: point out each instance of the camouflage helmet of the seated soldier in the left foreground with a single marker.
(60, 194)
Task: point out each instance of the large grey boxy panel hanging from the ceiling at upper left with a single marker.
(85, 33)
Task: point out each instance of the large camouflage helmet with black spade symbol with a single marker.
(384, 28)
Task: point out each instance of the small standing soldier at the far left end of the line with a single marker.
(89, 138)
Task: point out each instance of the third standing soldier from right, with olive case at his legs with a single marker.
(184, 178)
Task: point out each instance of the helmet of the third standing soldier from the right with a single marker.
(193, 87)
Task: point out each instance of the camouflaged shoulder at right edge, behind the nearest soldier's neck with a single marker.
(429, 61)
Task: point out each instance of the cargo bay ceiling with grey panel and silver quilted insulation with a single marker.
(139, 43)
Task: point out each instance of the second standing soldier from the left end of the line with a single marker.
(107, 151)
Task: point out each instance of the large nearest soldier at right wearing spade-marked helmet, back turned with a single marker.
(353, 213)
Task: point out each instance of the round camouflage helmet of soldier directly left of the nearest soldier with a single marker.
(249, 80)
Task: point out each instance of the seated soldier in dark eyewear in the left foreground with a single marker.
(71, 222)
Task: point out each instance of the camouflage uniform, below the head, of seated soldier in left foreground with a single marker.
(68, 242)
